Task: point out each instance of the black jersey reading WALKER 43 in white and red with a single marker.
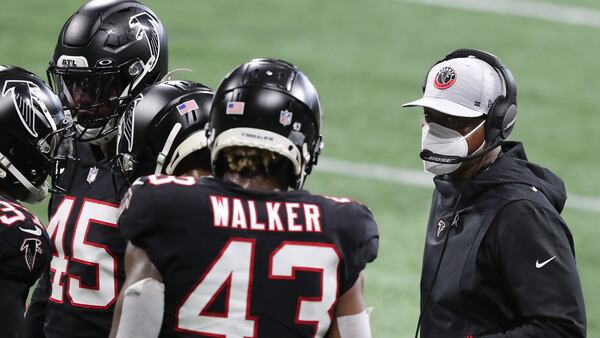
(245, 263)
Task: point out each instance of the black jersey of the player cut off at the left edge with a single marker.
(24, 254)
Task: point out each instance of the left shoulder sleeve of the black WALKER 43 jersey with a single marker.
(137, 213)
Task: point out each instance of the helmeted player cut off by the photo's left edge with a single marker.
(30, 132)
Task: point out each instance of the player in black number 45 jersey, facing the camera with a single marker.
(106, 54)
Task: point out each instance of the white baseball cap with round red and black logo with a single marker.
(465, 87)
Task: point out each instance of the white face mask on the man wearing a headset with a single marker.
(445, 141)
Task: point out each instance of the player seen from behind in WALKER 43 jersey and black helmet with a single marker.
(239, 255)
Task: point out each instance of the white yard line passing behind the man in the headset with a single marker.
(420, 179)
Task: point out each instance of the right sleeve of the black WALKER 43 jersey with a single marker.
(361, 243)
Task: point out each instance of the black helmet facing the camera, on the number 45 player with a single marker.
(106, 54)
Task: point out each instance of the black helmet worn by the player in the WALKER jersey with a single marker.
(268, 104)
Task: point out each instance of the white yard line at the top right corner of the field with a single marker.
(573, 15)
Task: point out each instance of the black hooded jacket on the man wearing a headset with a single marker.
(508, 269)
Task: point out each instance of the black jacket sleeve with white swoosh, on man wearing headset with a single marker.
(534, 250)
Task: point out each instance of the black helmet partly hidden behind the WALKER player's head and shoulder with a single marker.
(161, 126)
